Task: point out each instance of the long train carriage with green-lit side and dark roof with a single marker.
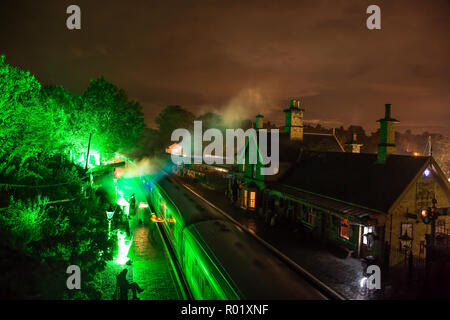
(218, 259)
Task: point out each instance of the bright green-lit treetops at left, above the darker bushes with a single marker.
(38, 122)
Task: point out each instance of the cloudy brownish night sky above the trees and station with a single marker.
(241, 57)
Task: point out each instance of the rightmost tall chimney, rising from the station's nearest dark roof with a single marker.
(387, 136)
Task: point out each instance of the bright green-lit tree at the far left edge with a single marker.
(24, 121)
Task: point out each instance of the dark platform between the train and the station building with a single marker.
(343, 276)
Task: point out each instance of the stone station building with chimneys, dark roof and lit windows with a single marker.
(360, 204)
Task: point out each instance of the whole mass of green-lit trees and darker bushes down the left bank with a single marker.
(39, 125)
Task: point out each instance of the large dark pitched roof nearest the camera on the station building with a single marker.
(354, 178)
